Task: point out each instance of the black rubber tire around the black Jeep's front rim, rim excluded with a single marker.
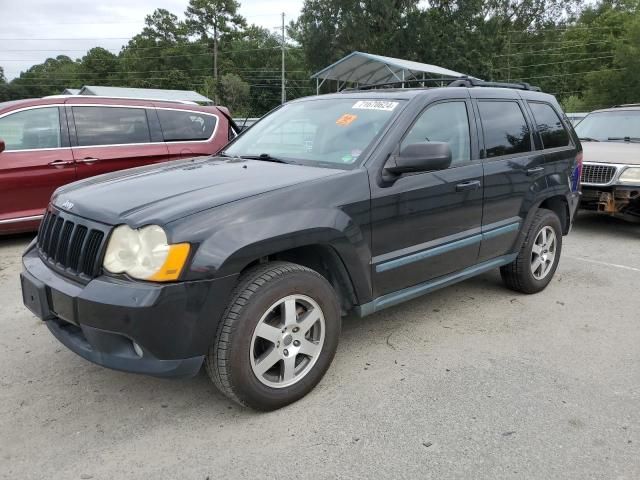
(228, 361)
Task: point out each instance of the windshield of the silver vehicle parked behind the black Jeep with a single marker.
(620, 126)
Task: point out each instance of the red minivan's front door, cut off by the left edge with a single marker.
(36, 161)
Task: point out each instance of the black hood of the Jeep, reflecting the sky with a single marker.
(159, 194)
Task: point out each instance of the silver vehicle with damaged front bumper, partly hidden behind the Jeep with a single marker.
(611, 170)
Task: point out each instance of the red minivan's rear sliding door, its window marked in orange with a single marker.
(106, 138)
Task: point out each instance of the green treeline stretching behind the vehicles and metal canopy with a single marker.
(586, 53)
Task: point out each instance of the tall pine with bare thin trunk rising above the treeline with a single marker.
(211, 19)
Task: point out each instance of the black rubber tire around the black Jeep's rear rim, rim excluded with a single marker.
(518, 275)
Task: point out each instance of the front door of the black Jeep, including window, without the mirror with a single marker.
(427, 225)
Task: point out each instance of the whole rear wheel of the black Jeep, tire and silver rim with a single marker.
(539, 255)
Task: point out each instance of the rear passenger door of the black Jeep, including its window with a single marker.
(513, 171)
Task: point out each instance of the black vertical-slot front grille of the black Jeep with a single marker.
(71, 244)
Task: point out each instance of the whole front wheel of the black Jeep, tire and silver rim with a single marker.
(277, 338)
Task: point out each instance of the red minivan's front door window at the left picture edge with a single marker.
(35, 128)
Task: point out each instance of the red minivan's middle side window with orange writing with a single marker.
(110, 125)
